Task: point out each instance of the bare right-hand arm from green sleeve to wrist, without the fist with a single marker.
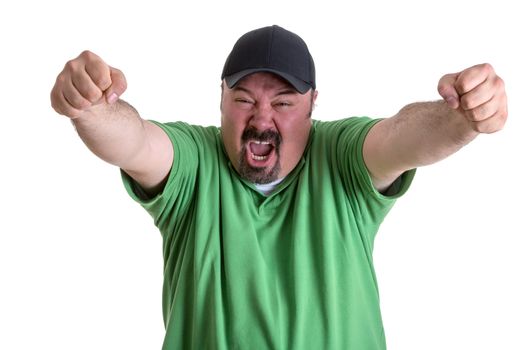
(419, 134)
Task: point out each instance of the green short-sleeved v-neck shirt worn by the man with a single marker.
(293, 270)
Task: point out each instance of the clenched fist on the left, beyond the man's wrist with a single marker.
(84, 82)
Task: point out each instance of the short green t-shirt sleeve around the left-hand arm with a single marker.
(169, 205)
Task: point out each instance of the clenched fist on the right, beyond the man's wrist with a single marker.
(479, 94)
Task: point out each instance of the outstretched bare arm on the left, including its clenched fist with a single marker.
(87, 91)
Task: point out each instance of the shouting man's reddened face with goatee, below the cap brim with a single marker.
(265, 126)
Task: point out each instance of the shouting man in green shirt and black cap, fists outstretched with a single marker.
(268, 223)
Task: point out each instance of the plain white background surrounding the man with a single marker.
(81, 264)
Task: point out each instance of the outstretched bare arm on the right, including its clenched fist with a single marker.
(474, 102)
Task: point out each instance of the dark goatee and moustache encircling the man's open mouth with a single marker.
(259, 175)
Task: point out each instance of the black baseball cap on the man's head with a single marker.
(271, 49)
